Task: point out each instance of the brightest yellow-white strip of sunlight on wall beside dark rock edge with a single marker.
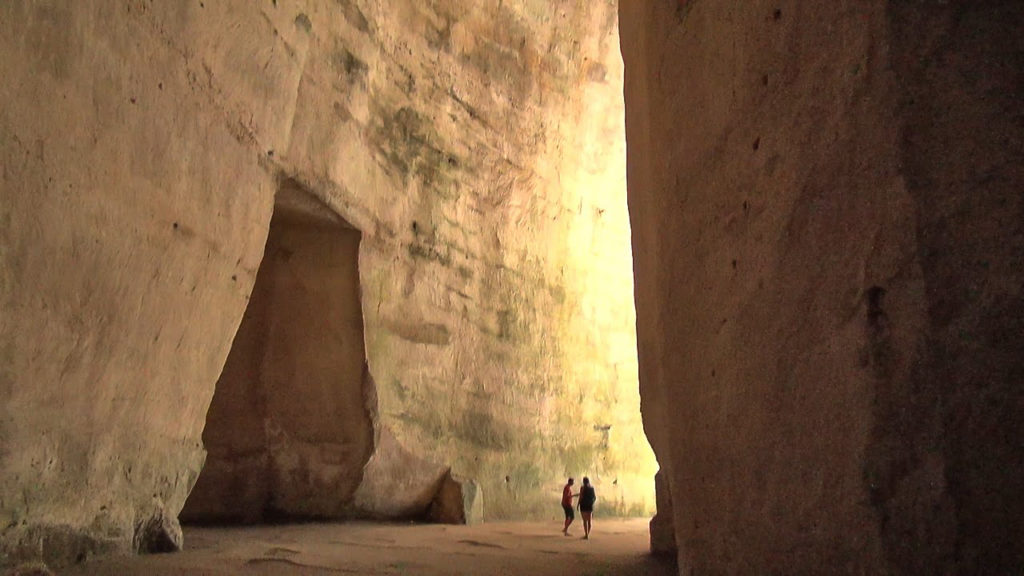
(599, 330)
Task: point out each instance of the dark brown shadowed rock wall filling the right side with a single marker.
(827, 212)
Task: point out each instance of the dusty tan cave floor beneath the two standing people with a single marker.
(616, 548)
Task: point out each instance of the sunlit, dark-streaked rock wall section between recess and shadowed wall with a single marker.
(480, 147)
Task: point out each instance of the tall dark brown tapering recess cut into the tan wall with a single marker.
(288, 432)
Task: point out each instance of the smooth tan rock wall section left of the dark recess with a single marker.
(135, 215)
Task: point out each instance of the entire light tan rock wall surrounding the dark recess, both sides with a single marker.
(473, 144)
